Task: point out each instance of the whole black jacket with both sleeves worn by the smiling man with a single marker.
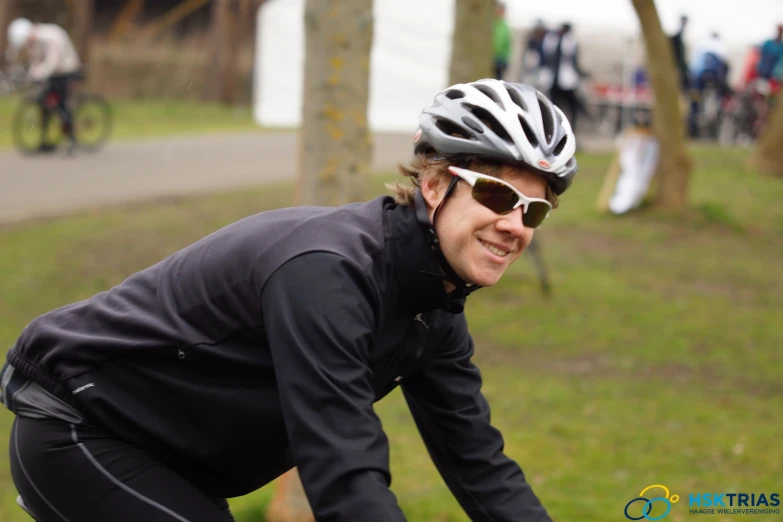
(264, 346)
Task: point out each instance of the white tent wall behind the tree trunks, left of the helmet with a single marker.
(409, 62)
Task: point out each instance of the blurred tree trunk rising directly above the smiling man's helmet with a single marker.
(471, 42)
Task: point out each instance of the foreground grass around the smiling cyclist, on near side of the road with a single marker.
(656, 361)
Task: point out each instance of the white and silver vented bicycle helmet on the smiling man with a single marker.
(504, 122)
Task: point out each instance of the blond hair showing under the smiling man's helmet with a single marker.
(424, 167)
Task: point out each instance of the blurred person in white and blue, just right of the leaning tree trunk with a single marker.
(710, 66)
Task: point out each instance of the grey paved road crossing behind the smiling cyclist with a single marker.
(131, 171)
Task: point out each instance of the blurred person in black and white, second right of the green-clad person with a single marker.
(561, 73)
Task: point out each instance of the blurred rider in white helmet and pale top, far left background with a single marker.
(54, 61)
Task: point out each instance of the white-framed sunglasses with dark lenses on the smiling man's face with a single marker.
(502, 198)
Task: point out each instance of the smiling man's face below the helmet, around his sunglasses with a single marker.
(478, 243)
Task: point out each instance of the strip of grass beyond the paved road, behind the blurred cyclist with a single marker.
(152, 118)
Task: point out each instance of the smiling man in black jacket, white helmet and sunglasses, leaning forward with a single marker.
(264, 345)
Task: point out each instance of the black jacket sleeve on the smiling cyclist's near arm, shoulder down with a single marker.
(319, 316)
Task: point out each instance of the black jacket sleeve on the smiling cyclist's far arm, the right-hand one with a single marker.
(453, 418)
